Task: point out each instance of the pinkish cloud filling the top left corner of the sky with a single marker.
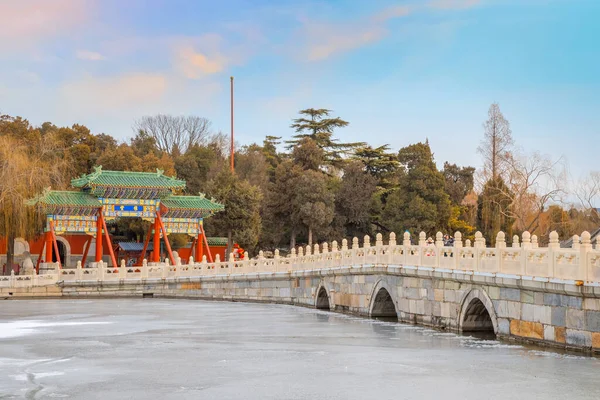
(27, 22)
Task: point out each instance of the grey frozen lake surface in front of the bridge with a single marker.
(186, 349)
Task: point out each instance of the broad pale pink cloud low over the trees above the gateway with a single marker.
(93, 94)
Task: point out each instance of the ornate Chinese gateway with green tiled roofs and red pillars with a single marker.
(108, 195)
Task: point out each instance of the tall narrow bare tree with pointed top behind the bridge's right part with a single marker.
(496, 146)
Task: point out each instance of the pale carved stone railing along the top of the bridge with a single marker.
(523, 258)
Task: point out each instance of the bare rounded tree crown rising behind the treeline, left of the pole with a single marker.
(175, 132)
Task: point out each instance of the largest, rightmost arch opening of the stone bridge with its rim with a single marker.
(477, 313)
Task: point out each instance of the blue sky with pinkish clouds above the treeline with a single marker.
(399, 71)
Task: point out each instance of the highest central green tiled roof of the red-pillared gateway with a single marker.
(127, 179)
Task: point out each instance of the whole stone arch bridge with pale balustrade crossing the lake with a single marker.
(523, 292)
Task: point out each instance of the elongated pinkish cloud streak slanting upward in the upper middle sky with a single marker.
(323, 40)
